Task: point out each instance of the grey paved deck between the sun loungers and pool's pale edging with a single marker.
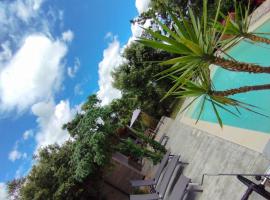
(207, 153)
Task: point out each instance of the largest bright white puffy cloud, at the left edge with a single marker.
(22, 80)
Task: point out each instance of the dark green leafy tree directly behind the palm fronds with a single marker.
(137, 82)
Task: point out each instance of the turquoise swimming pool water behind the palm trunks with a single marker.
(223, 79)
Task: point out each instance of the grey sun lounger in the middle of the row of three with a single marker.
(161, 188)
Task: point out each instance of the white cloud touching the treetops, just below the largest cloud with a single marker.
(50, 118)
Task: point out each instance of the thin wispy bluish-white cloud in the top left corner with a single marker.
(19, 18)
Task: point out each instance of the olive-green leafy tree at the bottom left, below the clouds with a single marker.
(52, 177)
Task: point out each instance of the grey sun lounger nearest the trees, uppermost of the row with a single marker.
(151, 182)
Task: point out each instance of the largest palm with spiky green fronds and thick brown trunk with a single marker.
(198, 41)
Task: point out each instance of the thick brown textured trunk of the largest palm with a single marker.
(239, 66)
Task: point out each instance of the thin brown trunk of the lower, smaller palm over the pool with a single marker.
(244, 89)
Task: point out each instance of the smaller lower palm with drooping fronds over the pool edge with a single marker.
(219, 99)
